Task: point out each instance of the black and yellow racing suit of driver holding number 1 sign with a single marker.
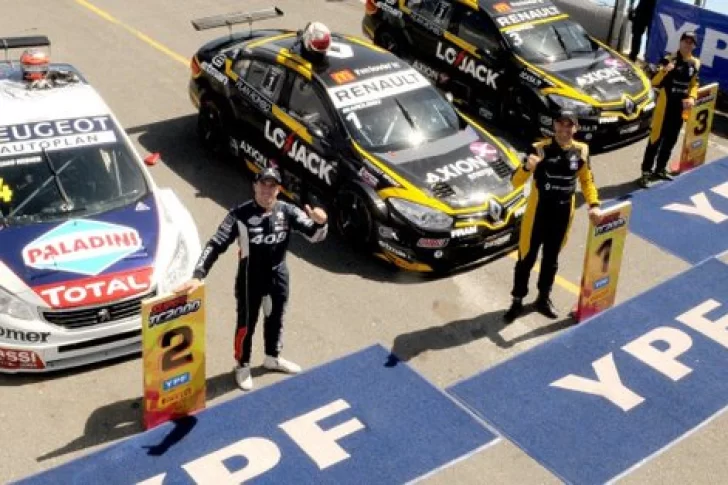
(550, 209)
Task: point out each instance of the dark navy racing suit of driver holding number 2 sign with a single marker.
(262, 276)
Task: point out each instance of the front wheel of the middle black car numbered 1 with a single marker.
(354, 219)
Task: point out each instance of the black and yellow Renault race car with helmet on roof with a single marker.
(357, 130)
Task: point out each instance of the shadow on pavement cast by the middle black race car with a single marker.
(229, 184)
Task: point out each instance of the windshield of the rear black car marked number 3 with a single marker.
(551, 41)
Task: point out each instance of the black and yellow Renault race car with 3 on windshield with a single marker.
(517, 62)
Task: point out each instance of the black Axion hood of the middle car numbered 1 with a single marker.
(462, 170)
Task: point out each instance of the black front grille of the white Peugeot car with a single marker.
(88, 317)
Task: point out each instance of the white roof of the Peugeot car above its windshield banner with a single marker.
(22, 105)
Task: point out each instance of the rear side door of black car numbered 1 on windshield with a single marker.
(255, 93)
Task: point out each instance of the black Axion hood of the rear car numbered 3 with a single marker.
(603, 76)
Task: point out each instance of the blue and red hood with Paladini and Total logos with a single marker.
(84, 261)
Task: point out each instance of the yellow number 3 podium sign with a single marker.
(697, 130)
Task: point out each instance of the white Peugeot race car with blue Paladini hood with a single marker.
(85, 234)
